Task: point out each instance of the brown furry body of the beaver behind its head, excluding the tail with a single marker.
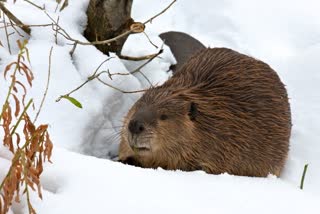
(244, 119)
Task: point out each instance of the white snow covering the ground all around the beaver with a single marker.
(283, 33)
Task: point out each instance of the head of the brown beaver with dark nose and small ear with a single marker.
(158, 123)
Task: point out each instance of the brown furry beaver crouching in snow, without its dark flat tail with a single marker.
(221, 112)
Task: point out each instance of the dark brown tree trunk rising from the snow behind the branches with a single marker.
(108, 19)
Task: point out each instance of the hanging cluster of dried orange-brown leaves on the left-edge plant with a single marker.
(27, 164)
